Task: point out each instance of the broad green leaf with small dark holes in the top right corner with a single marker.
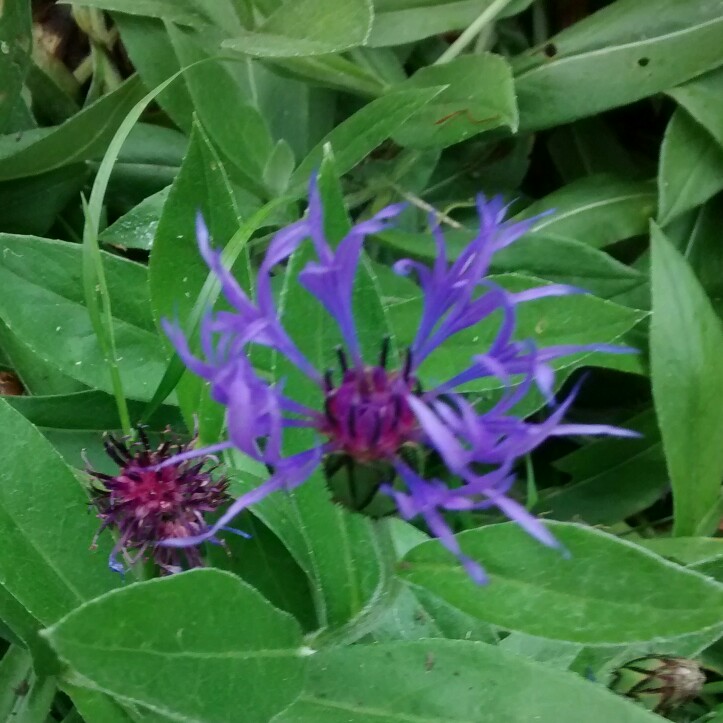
(628, 50)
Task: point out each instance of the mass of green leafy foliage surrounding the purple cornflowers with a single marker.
(121, 118)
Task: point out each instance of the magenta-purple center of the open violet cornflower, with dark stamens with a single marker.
(368, 416)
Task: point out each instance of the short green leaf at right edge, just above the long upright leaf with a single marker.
(691, 167)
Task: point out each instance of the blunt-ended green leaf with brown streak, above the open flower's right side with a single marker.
(478, 96)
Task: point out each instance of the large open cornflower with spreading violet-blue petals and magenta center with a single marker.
(367, 410)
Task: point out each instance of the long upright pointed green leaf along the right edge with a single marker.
(686, 347)
